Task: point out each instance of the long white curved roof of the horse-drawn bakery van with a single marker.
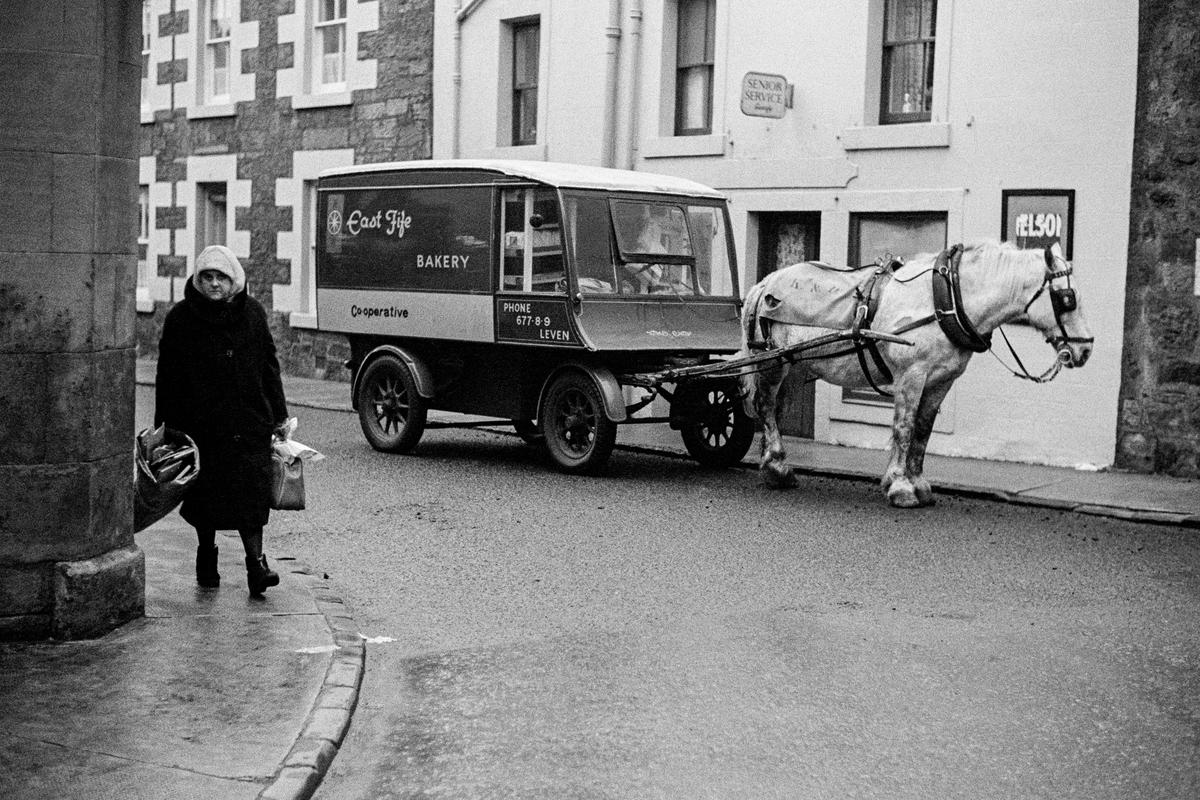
(563, 176)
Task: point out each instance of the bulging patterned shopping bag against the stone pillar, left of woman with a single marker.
(165, 465)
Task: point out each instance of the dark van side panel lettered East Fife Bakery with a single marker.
(423, 238)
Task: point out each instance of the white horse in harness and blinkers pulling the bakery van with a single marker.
(909, 336)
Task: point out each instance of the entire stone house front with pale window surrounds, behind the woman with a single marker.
(244, 103)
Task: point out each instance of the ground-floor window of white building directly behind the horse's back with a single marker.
(877, 236)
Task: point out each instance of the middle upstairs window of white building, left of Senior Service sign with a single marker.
(695, 38)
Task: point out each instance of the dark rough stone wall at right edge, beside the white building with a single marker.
(1160, 424)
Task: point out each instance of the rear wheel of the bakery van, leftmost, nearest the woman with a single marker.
(391, 411)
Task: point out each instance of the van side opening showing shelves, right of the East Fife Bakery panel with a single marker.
(532, 242)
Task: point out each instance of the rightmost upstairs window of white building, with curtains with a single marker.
(909, 37)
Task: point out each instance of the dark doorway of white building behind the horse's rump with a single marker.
(785, 239)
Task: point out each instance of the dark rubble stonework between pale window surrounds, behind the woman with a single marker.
(391, 122)
